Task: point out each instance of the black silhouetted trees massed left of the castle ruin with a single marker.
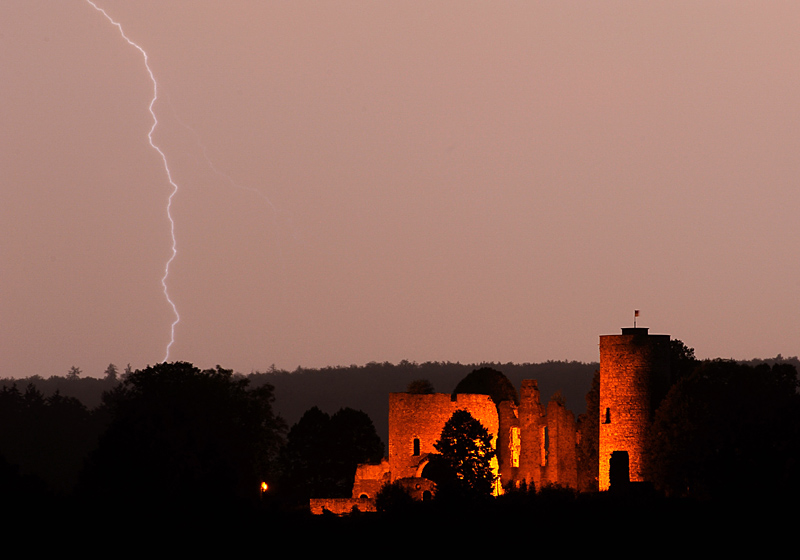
(172, 435)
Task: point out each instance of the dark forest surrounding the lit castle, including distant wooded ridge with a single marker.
(176, 440)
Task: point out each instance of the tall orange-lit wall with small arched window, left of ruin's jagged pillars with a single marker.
(422, 417)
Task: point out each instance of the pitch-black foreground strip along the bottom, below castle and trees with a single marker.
(558, 522)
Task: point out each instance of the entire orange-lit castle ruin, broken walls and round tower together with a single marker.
(536, 445)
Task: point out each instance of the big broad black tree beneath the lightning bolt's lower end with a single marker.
(182, 436)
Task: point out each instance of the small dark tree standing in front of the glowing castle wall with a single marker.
(463, 466)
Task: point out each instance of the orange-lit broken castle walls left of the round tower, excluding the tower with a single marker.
(535, 444)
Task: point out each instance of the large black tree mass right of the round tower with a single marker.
(728, 428)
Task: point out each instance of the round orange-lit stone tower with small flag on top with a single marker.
(634, 375)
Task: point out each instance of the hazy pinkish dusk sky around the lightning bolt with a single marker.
(376, 181)
